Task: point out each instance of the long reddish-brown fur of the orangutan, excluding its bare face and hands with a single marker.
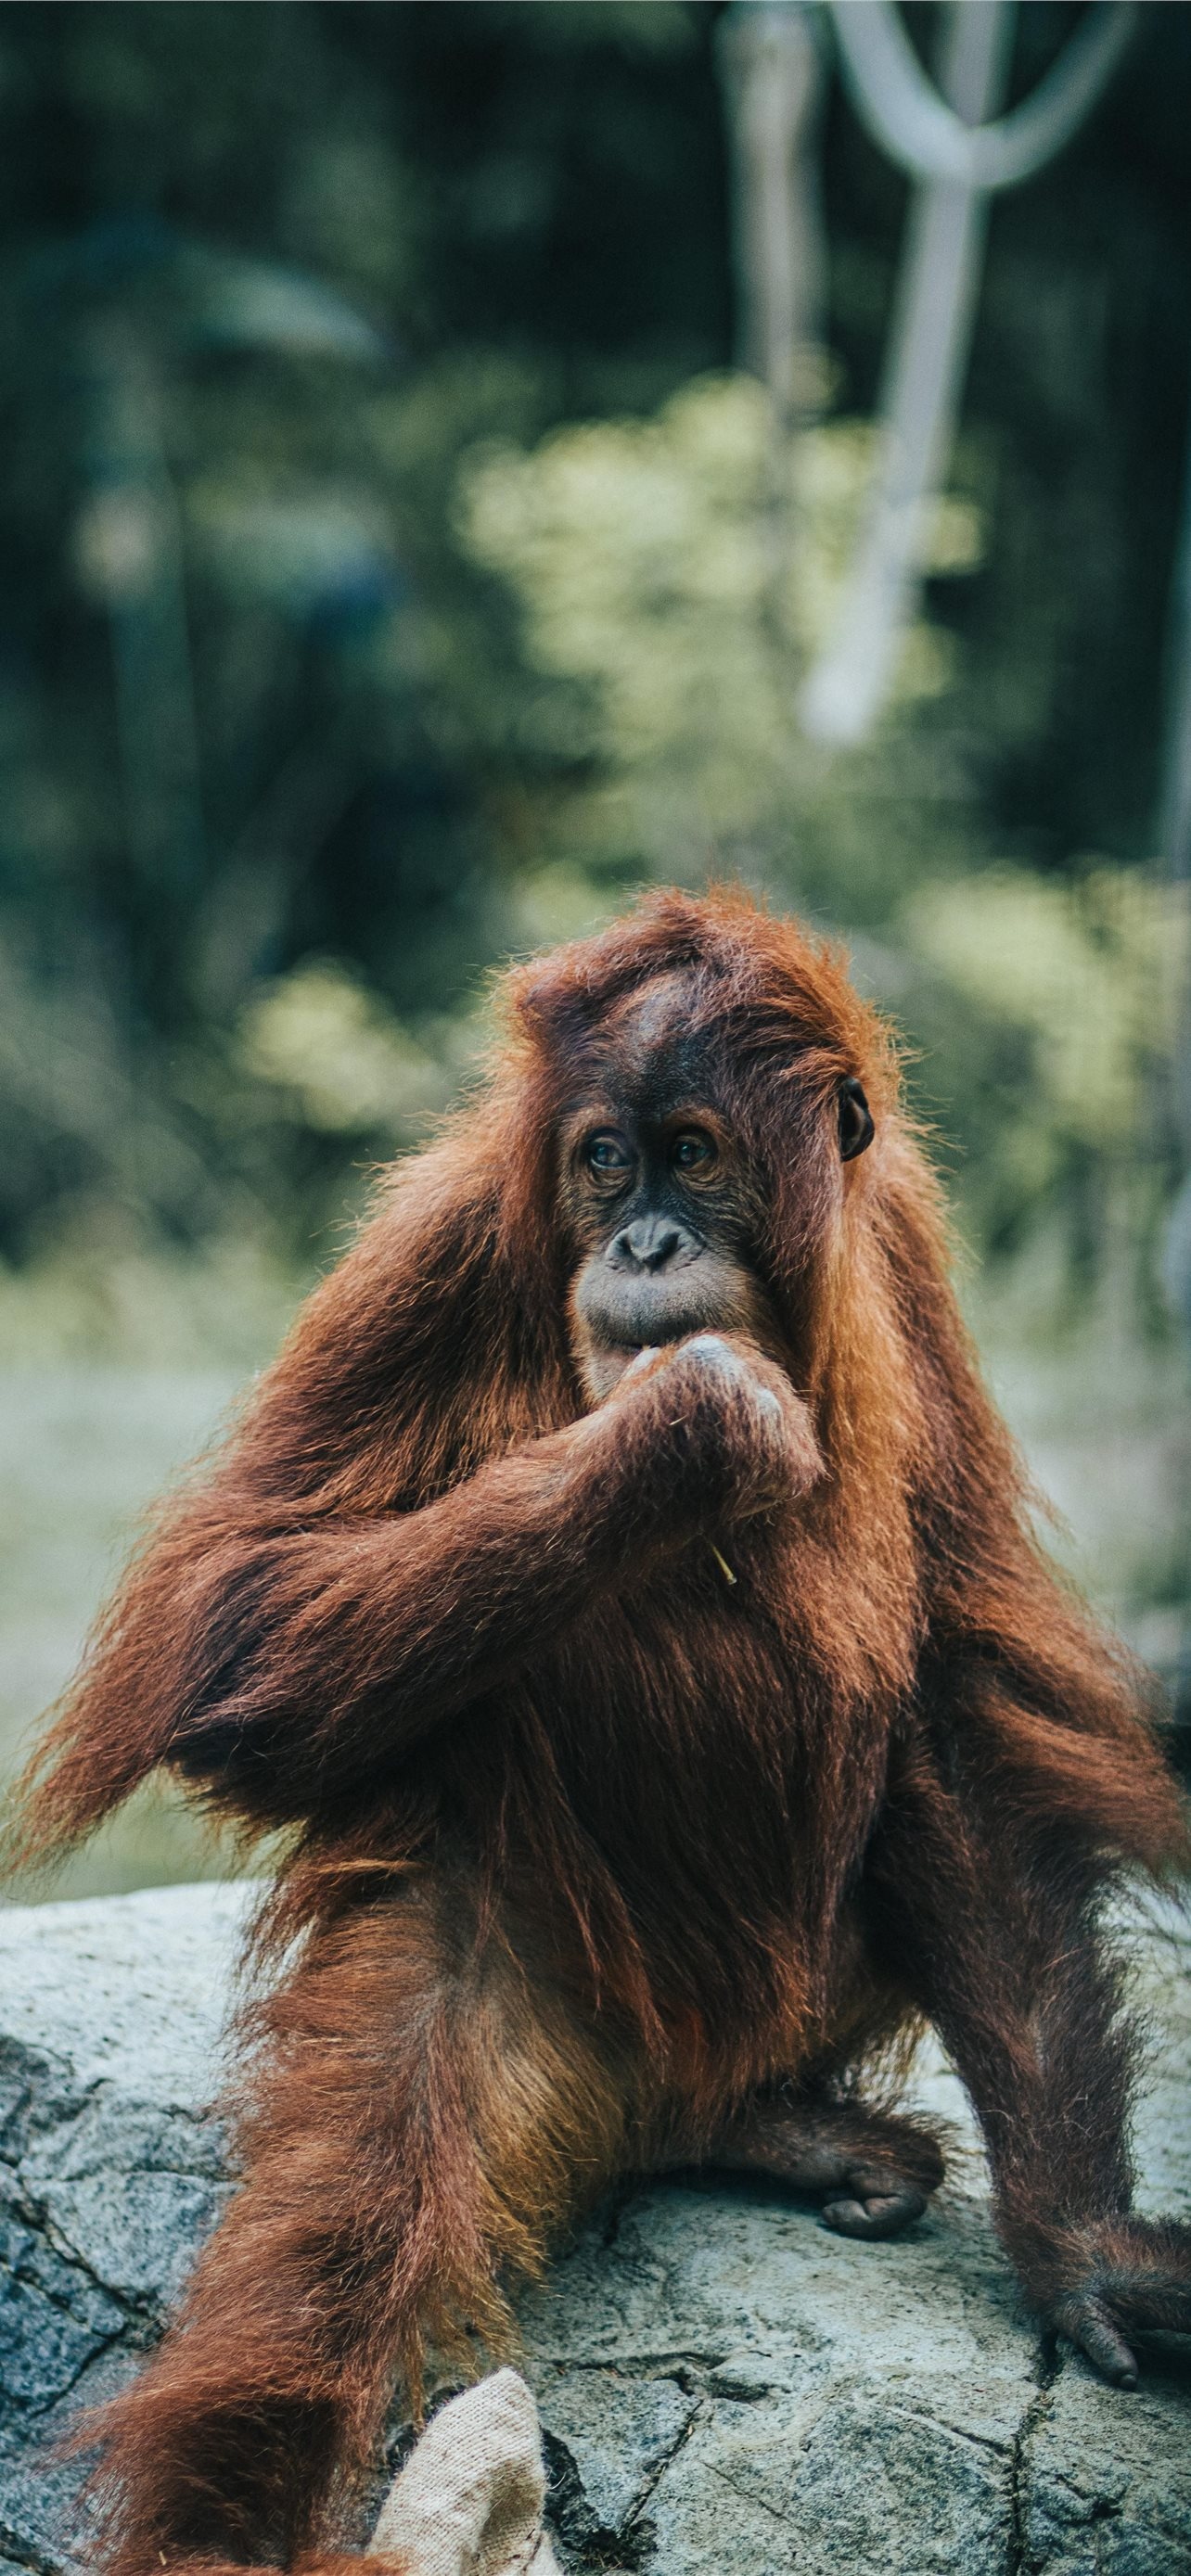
(612, 1869)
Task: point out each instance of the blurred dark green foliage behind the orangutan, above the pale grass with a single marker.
(391, 583)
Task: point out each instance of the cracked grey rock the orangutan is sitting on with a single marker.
(726, 2389)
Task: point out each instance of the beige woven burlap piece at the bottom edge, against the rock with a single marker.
(470, 2497)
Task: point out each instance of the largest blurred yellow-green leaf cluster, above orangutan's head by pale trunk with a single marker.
(656, 563)
